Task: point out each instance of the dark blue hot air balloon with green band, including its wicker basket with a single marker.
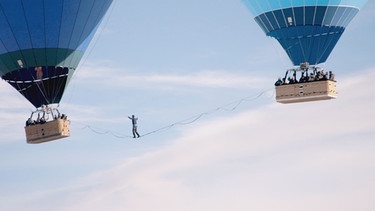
(41, 45)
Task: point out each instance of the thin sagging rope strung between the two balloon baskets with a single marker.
(228, 107)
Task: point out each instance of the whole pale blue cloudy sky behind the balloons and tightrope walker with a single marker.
(167, 61)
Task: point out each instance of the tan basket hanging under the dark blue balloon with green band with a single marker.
(49, 131)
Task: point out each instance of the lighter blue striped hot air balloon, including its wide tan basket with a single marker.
(308, 31)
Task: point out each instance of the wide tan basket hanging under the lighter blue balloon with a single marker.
(305, 92)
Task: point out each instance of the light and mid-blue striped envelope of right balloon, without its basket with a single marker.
(308, 30)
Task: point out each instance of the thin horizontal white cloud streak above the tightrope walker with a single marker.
(112, 77)
